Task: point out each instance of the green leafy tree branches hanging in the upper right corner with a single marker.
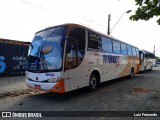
(146, 10)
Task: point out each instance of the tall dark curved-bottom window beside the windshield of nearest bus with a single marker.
(75, 48)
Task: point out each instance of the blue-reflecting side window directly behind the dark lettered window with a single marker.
(106, 44)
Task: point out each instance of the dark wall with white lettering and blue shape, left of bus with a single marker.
(13, 58)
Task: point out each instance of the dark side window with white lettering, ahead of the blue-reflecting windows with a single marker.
(94, 40)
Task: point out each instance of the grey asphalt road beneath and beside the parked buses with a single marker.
(141, 93)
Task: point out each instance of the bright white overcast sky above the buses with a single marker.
(20, 19)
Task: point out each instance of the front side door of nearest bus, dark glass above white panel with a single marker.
(75, 71)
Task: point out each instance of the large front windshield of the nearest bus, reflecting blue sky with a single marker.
(46, 50)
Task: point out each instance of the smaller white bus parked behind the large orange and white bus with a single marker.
(147, 60)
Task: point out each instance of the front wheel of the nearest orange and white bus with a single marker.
(93, 82)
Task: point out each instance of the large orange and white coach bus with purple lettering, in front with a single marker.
(71, 56)
